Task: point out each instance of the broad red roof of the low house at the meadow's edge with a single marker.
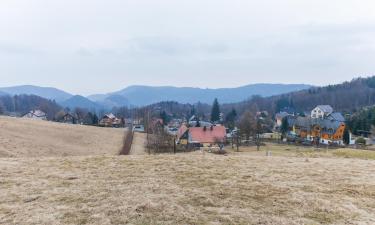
(209, 135)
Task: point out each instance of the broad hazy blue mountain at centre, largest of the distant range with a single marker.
(145, 95)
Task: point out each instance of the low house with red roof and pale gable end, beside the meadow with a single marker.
(201, 136)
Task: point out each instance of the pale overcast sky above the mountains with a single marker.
(92, 46)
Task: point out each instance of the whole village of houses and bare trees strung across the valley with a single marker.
(322, 126)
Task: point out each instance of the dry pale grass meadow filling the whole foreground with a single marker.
(293, 186)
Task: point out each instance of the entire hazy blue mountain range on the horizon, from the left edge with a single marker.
(145, 95)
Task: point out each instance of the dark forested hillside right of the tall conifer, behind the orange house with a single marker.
(345, 97)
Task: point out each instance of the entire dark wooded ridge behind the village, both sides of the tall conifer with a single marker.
(347, 97)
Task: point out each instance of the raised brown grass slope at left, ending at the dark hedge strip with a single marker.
(32, 138)
